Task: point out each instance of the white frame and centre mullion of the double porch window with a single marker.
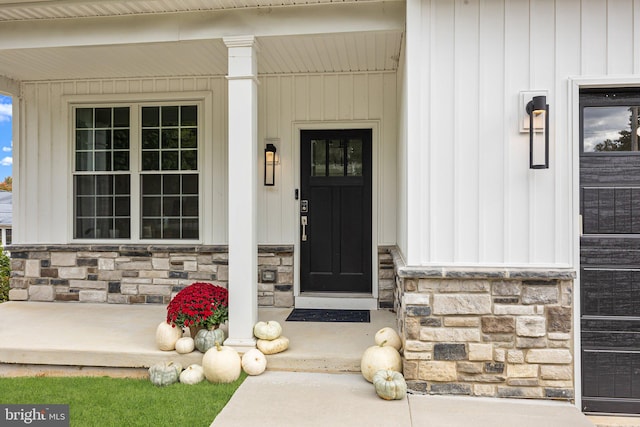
(135, 102)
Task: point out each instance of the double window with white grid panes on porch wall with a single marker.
(168, 190)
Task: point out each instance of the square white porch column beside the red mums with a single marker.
(243, 143)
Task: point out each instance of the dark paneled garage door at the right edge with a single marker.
(610, 250)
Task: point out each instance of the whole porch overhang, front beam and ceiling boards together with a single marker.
(88, 39)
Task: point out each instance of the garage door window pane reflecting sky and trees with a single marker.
(607, 129)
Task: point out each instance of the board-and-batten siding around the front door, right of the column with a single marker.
(309, 101)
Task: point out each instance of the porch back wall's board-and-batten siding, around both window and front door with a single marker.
(45, 144)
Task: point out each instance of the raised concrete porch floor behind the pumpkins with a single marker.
(55, 339)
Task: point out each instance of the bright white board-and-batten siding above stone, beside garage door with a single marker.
(470, 198)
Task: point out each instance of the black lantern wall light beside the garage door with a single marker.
(538, 111)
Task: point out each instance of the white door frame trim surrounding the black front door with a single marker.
(336, 301)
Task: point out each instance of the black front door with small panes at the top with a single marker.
(335, 211)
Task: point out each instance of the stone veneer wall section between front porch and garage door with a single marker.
(497, 333)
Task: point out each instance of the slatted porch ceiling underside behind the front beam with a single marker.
(350, 52)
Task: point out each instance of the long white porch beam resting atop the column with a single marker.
(206, 25)
